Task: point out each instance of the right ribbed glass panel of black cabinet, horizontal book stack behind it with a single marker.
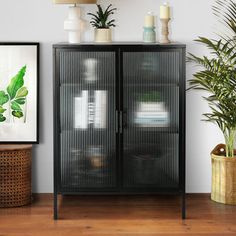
(150, 119)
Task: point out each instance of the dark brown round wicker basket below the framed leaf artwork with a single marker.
(15, 175)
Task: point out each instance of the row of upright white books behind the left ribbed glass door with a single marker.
(90, 110)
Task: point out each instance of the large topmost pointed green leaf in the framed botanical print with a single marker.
(16, 83)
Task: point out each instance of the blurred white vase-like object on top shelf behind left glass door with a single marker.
(90, 65)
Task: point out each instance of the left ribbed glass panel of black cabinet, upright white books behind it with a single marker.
(88, 120)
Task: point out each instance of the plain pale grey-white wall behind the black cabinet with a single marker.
(41, 20)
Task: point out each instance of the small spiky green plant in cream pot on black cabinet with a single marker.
(102, 24)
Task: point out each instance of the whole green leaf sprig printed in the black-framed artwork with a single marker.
(15, 95)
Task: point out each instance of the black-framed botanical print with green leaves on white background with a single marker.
(19, 92)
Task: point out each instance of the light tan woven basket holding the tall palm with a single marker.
(223, 176)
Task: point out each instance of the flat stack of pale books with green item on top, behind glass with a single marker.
(151, 111)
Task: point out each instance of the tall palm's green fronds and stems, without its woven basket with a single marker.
(218, 74)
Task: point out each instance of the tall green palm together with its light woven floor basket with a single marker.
(218, 77)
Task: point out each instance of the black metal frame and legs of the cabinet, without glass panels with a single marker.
(119, 49)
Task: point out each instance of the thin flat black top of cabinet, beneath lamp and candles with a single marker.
(70, 45)
